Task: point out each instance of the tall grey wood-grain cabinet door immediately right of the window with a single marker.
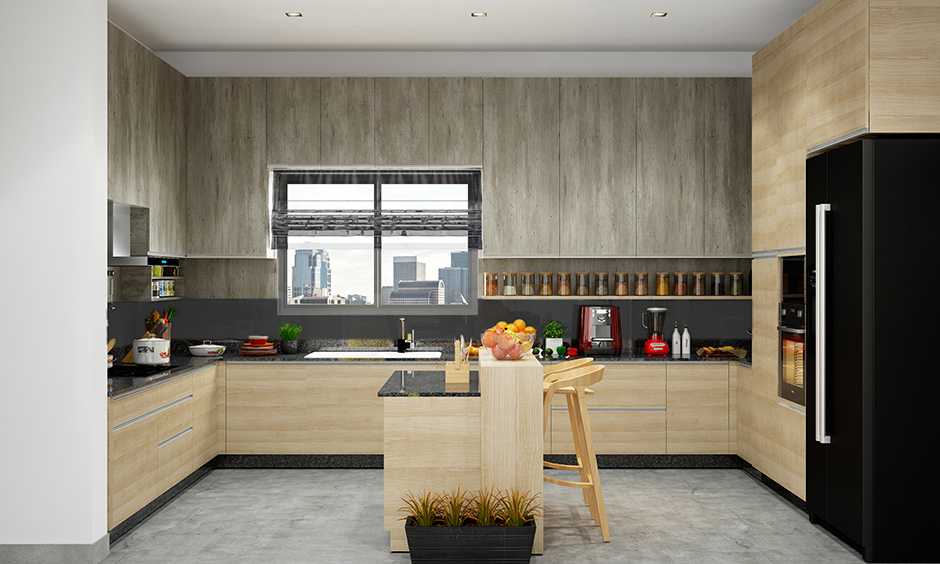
(521, 203)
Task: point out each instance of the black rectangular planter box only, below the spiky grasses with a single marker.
(505, 545)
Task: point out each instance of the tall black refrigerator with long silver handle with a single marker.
(872, 362)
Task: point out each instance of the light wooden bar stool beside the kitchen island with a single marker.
(578, 379)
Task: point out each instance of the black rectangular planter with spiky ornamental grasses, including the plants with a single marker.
(489, 526)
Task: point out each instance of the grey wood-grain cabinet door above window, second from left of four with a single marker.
(347, 120)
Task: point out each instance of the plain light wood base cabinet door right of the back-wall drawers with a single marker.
(697, 400)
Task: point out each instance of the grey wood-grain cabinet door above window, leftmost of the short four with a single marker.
(293, 120)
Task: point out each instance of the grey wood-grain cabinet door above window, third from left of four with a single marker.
(401, 121)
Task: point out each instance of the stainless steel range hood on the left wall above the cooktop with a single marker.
(129, 237)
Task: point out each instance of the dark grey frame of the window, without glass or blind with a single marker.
(377, 308)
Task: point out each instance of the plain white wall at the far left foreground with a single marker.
(53, 193)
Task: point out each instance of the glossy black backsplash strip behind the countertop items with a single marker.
(236, 319)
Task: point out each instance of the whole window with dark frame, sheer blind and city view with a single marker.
(376, 242)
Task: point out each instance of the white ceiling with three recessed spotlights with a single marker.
(229, 29)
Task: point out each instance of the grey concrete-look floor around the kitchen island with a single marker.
(288, 516)
